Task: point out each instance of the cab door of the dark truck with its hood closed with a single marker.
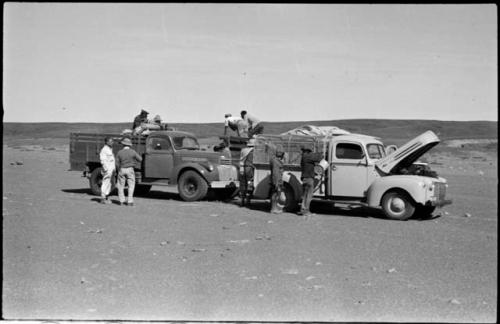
(159, 158)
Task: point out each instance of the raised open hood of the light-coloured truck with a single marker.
(404, 156)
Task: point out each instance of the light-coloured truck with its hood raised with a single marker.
(356, 171)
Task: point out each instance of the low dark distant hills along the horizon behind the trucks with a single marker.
(391, 131)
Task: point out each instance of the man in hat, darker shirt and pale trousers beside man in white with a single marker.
(126, 159)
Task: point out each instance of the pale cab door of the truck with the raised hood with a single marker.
(348, 170)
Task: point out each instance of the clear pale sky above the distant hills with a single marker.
(192, 63)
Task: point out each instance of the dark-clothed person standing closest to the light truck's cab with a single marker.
(307, 163)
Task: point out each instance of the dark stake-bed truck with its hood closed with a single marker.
(169, 158)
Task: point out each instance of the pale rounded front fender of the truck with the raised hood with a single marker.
(414, 186)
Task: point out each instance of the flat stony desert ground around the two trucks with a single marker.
(67, 257)
